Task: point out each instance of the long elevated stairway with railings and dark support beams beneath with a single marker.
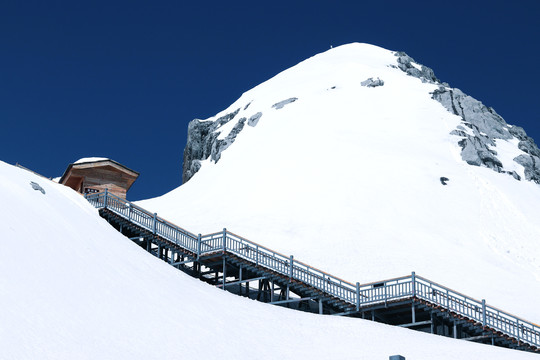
(233, 263)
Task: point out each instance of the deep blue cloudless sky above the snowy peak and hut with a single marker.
(123, 79)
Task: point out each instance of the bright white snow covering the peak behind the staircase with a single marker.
(347, 179)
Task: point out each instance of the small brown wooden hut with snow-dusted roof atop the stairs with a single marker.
(91, 175)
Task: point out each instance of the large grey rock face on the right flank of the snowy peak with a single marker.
(483, 123)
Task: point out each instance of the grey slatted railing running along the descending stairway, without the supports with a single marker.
(364, 296)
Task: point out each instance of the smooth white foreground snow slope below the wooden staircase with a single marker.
(71, 287)
